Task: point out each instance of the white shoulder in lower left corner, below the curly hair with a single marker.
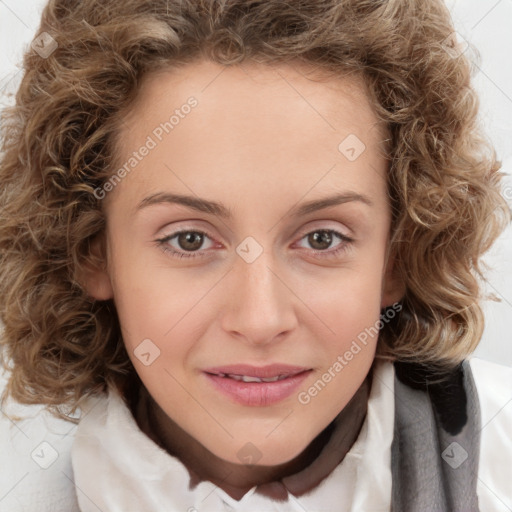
(36, 472)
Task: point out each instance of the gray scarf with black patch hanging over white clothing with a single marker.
(436, 444)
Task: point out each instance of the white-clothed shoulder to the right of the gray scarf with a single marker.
(494, 386)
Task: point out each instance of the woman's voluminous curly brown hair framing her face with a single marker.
(59, 146)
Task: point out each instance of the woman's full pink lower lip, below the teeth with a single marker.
(257, 394)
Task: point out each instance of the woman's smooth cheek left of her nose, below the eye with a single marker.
(160, 311)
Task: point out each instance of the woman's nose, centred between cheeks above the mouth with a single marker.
(260, 306)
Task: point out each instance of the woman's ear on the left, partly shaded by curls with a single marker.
(95, 277)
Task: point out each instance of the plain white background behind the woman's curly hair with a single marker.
(483, 23)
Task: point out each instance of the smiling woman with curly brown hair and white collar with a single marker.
(248, 234)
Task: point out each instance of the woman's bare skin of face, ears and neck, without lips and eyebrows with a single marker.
(262, 140)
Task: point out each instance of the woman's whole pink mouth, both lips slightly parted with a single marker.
(253, 386)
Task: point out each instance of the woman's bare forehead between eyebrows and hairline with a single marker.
(253, 125)
